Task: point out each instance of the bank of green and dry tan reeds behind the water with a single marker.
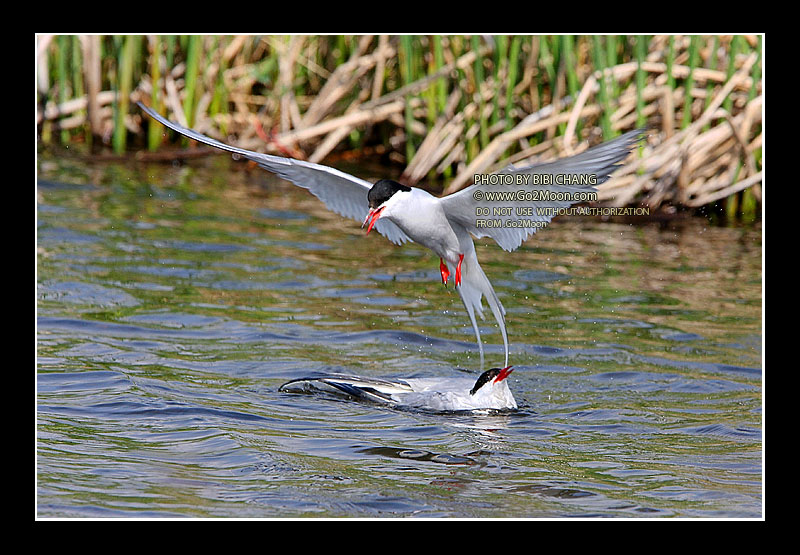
(443, 107)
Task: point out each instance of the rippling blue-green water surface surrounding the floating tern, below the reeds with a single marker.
(174, 300)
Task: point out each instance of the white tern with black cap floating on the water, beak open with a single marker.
(490, 391)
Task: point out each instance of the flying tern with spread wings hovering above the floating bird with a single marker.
(446, 225)
